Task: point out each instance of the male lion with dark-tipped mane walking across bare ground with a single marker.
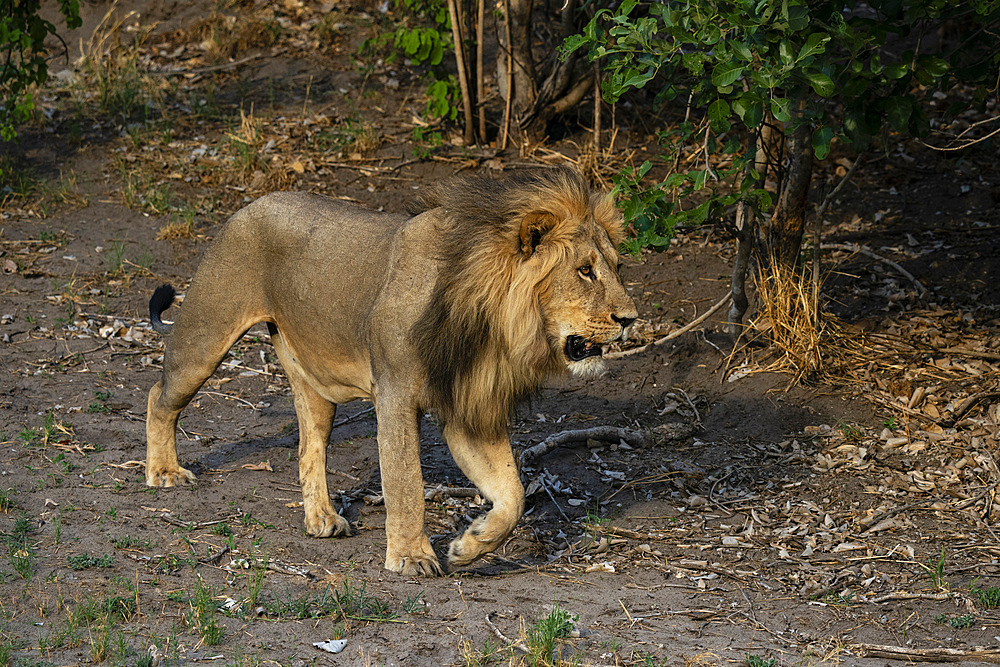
(463, 309)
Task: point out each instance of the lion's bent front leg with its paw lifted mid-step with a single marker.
(489, 464)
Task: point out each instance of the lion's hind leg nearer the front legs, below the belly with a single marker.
(315, 415)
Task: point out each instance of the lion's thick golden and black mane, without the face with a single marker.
(482, 337)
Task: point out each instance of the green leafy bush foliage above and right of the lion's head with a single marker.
(740, 65)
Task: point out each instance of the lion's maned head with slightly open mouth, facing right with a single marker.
(528, 286)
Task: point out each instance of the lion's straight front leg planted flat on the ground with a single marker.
(408, 551)
